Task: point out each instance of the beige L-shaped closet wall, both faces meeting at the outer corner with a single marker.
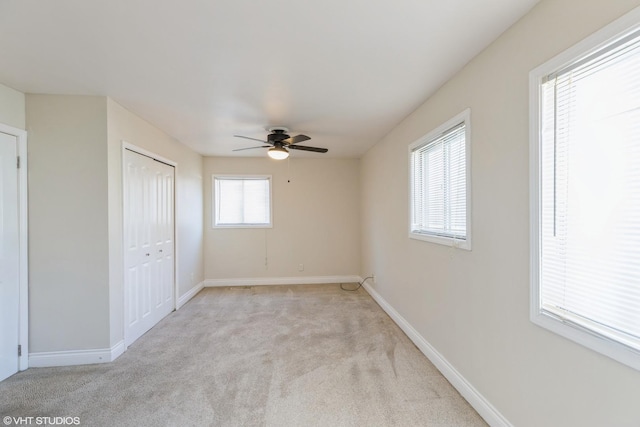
(75, 218)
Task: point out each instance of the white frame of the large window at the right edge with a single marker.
(587, 338)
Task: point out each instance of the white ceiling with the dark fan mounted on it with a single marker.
(344, 72)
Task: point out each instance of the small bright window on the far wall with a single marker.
(242, 201)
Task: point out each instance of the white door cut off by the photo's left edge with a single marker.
(9, 257)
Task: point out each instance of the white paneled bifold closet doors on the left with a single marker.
(149, 243)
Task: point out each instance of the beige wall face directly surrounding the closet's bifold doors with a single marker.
(124, 125)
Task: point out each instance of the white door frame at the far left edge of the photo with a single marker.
(23, 256)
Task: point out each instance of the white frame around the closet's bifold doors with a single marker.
(136, 149)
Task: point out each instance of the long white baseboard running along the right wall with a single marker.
(475, 399)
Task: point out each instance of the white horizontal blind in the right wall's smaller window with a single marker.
(439, 185)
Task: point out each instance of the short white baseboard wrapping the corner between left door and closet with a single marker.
(75, 357)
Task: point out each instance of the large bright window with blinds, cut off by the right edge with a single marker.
(585, 198)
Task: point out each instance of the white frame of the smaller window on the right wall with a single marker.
(431, 137)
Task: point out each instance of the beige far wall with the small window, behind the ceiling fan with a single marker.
(315, 221)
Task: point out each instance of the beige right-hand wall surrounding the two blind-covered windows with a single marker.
(473, 307)
